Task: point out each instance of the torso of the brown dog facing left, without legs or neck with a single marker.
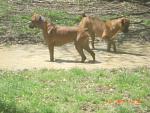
(65, 34)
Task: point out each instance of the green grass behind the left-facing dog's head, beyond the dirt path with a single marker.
(18, 22)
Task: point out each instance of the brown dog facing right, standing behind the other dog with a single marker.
(104, 29)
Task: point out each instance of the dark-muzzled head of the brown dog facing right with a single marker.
(125, 23)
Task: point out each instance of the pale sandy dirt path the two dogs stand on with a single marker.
(20, 57)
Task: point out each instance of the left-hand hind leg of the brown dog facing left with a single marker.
(80, 51)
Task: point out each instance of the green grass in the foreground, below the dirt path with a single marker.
(74, 91)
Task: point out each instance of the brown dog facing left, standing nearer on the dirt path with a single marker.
(58, 35)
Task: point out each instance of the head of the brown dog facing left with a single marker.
(37, 21)
